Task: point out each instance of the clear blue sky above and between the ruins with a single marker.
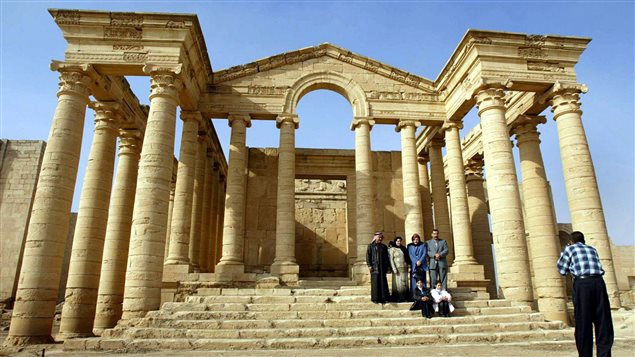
(415, 36)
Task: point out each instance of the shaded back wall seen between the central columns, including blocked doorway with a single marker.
(325, 220)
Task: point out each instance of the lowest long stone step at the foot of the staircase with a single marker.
(186, 344)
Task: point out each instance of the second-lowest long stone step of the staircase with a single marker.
(422, 328)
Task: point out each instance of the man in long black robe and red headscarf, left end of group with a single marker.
(378, 265)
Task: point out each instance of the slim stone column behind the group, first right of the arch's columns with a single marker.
(410, 177)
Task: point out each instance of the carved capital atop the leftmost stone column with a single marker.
(74, 78)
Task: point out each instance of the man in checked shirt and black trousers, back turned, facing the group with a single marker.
(590, 299)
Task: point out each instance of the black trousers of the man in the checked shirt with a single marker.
(592, 309)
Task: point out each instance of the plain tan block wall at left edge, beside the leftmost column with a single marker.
(20, 162)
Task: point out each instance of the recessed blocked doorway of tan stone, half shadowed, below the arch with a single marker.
(321, 235)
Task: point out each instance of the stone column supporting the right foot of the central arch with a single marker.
(363, 194)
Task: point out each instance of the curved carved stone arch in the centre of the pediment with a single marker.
(334, 81)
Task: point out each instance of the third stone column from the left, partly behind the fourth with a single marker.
(117, 241)
